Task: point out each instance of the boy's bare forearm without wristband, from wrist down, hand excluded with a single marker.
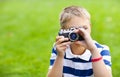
(57, 68)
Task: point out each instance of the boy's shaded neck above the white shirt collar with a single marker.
(77, 50)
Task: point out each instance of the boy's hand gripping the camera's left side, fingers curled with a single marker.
(61, 45)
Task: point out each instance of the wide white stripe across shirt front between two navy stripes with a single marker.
(77, 65)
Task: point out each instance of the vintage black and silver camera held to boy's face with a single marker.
(69, 33)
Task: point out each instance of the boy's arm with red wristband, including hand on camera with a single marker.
(99, 67)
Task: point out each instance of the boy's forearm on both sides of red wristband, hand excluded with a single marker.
(99, 67)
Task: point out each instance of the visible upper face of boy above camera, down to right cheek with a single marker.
(79, 22)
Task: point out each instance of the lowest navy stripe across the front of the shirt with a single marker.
(77, 72)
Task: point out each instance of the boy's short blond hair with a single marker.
(72, 11)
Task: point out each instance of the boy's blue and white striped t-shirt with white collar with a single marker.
(81, 65)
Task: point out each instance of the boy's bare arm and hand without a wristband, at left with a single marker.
(57, 68)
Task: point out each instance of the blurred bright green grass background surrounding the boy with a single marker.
(28, 29)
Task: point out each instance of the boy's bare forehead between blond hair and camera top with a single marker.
(77, 22)
